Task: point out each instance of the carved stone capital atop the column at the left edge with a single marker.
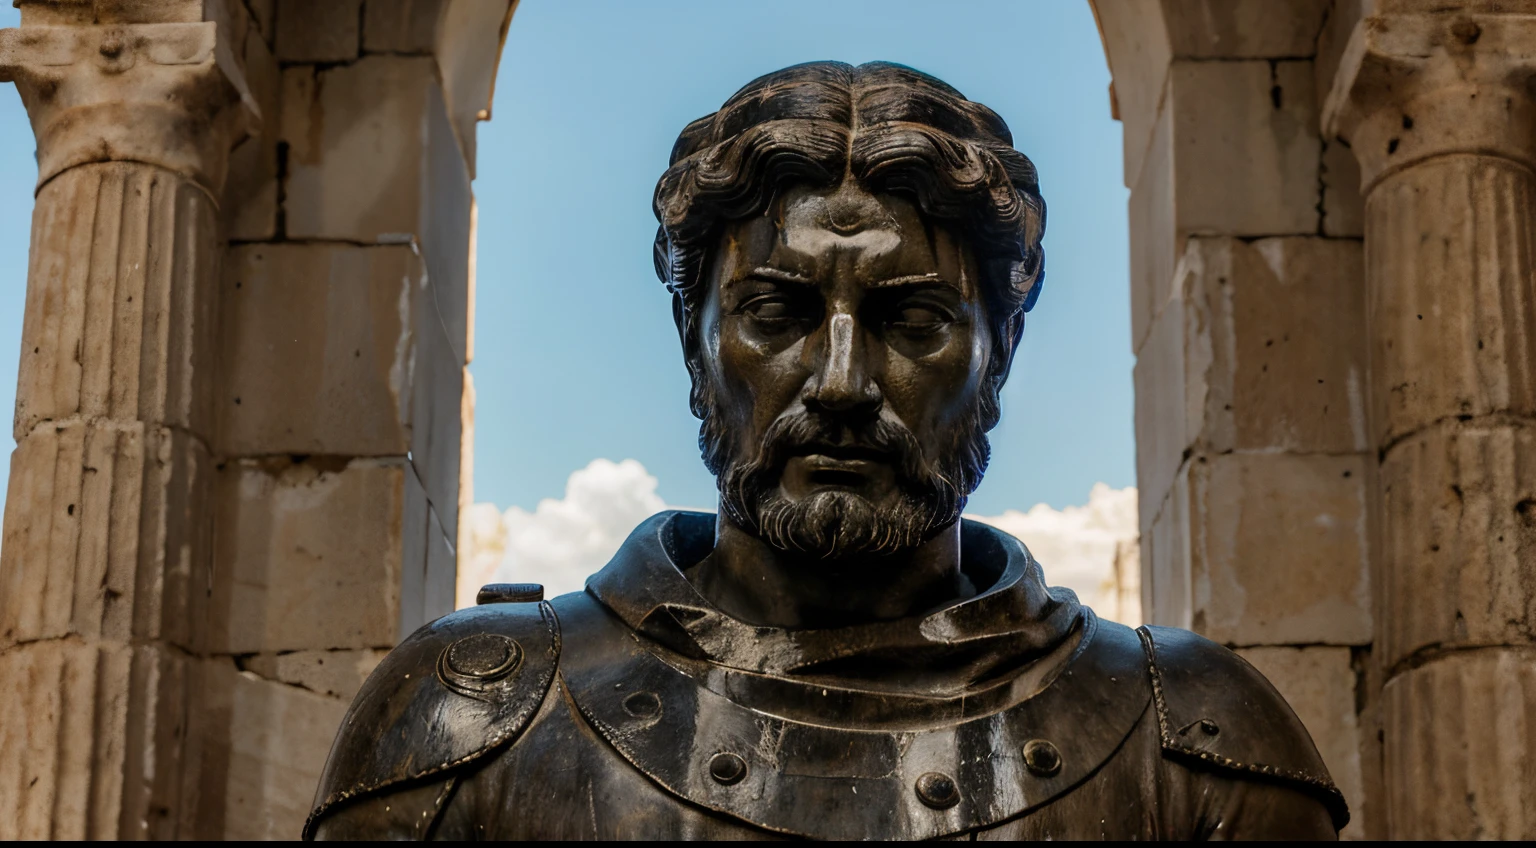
(165, 94)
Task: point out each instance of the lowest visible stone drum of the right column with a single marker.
(1460, 735)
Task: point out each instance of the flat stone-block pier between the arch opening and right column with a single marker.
(1250, 328)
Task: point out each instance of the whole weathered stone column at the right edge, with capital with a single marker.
(1440, 113)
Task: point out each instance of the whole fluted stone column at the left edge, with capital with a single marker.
(107, 528)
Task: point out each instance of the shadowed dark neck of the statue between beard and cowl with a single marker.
(755, 583)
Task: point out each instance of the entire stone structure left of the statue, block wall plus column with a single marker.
(242, 425)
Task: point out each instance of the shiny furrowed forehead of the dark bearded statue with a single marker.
(884, 234)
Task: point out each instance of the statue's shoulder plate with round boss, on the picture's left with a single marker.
(451, 694)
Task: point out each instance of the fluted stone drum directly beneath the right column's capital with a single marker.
(1451, 302)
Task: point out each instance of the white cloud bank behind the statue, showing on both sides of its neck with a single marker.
(1090, 549)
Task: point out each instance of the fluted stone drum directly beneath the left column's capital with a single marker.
(118, 325)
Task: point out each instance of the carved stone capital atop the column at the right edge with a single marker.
(1412, 87)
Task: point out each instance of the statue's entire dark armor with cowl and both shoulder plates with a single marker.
(632, 711)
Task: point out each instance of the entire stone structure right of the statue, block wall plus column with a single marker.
(1336, 399)
